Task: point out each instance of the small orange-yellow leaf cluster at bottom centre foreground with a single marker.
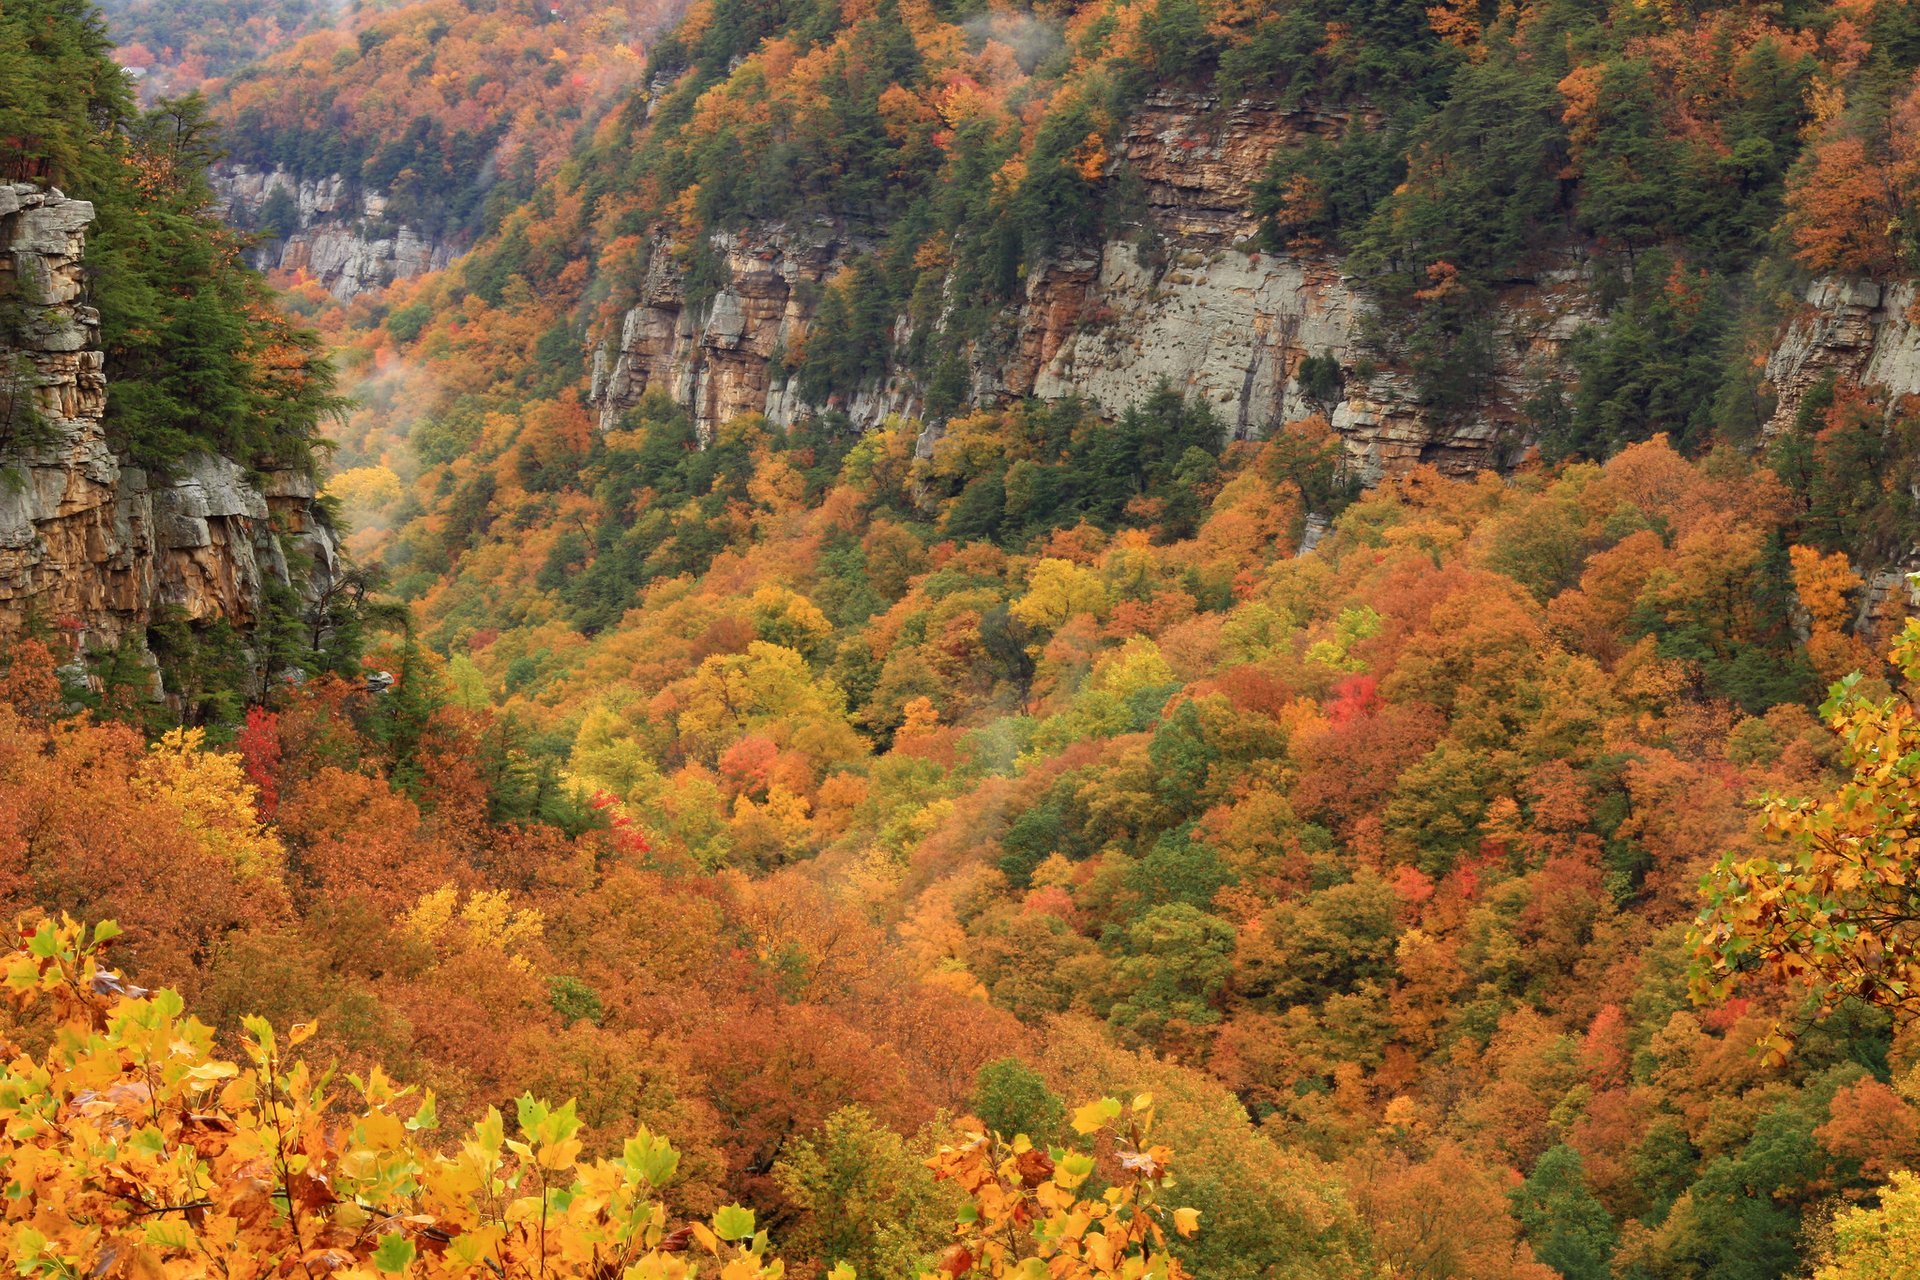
(1032, 1218)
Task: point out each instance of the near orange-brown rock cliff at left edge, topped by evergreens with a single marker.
(91, 546)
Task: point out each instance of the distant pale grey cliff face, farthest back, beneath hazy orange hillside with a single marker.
(343, 237)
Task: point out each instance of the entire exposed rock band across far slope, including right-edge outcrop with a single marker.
(1193, 296)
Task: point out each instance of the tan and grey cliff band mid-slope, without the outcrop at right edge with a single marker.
(1189, 298)
